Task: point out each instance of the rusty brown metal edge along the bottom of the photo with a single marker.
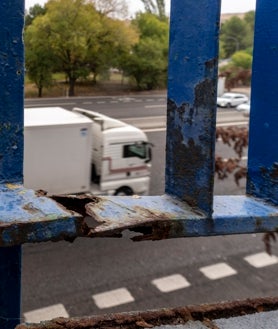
(149, 319)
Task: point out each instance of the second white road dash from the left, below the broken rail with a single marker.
(113, 298)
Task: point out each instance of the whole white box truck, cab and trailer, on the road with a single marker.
(81, 151)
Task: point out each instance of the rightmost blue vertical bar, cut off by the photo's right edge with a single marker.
(262, 178)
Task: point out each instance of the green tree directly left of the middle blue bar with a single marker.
(148, 60)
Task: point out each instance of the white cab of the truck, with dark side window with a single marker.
(121, 156)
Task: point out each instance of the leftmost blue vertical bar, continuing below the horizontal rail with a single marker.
(11, 146)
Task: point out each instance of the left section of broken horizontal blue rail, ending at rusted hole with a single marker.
(34, 218)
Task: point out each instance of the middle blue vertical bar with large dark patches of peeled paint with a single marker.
(191, 110)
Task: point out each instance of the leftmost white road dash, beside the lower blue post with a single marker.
(46, 313)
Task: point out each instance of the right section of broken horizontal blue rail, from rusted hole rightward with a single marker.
(164, 217)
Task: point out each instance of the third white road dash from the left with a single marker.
(171, 283)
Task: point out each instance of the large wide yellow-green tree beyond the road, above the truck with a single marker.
(79, 38)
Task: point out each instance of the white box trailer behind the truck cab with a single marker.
(56, 156)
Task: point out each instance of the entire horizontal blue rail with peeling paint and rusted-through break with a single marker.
(36, 218)
